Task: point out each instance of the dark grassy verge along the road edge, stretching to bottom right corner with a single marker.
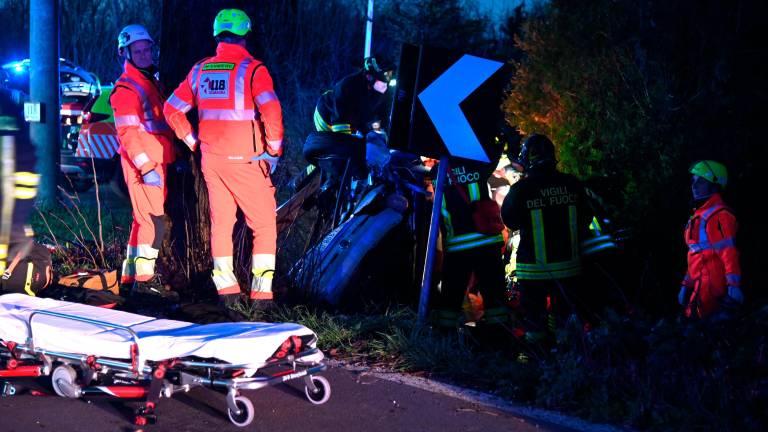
(665, 375)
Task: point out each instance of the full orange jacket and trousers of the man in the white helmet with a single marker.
(146, 144)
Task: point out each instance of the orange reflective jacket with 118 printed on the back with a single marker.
(240, 115)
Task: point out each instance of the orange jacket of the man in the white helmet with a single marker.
(137, 102)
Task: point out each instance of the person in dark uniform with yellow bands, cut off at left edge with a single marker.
(18, 179)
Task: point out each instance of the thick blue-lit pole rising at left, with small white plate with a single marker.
(44, 90)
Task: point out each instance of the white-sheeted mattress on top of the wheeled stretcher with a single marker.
(242, 343)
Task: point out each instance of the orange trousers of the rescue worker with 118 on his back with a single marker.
(246, 185)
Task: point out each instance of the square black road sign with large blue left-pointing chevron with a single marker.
(447, 103)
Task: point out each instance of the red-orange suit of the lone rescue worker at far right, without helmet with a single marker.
(713, 260)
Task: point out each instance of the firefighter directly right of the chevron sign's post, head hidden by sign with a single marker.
(471, 247)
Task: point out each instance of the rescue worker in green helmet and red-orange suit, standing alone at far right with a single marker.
(713, 279)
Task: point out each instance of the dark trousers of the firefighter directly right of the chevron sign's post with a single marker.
(486, 262)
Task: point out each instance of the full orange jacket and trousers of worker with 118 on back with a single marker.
(240, 117)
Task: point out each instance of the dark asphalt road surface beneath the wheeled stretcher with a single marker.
(358, 402)
